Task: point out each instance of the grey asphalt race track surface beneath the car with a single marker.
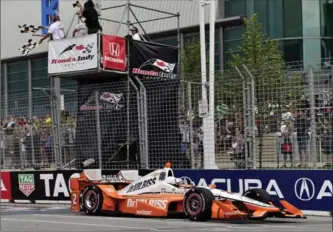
(60, 218)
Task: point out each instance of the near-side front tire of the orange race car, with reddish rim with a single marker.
(197, 204)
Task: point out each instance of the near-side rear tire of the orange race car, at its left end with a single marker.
(92, 200)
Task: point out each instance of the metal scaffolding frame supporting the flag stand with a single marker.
(55, 91)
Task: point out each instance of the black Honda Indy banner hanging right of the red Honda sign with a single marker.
(153, 61)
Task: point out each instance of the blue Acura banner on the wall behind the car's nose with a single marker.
(307, 190)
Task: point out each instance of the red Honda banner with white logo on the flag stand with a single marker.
(114, 52)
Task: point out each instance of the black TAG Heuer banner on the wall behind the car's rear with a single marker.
(47, 185)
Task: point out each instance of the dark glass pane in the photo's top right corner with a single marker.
(326, 17)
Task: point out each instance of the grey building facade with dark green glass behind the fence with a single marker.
(303, 27)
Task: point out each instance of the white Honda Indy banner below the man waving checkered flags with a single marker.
(73, 54)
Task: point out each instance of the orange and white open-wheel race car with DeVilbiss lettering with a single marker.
(161, 194)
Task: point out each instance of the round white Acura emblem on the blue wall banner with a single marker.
(304, 189)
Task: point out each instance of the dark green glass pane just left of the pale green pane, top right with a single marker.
(292, 18)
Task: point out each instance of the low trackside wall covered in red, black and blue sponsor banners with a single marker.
(309, 190)
